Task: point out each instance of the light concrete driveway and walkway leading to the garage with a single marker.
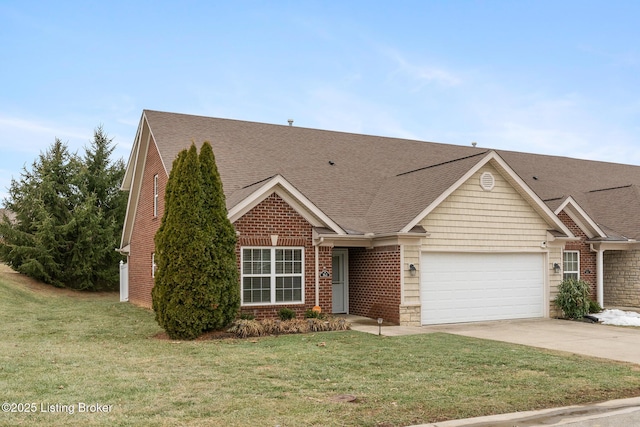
(589, 339)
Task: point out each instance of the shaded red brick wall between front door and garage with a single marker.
(374, 282)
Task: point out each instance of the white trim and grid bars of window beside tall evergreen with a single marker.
(272, 276)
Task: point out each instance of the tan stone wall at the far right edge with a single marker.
(622, 278)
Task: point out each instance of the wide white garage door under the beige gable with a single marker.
(473, 287)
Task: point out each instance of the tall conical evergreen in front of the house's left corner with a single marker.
(196, 285)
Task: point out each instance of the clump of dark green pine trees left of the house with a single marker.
(69, 214)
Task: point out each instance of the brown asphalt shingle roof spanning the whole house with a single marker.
(379, 184)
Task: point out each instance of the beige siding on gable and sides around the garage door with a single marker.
(472, 219)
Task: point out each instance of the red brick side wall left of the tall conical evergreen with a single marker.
(144, 229)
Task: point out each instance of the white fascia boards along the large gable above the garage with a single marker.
(503, 168)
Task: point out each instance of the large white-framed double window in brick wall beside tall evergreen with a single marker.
(272, 275)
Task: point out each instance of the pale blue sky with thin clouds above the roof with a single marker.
(553, 77)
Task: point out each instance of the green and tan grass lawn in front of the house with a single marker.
(59, 348)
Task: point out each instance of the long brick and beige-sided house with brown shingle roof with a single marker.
(412, 232)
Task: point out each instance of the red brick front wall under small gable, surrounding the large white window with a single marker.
(273, 216)
